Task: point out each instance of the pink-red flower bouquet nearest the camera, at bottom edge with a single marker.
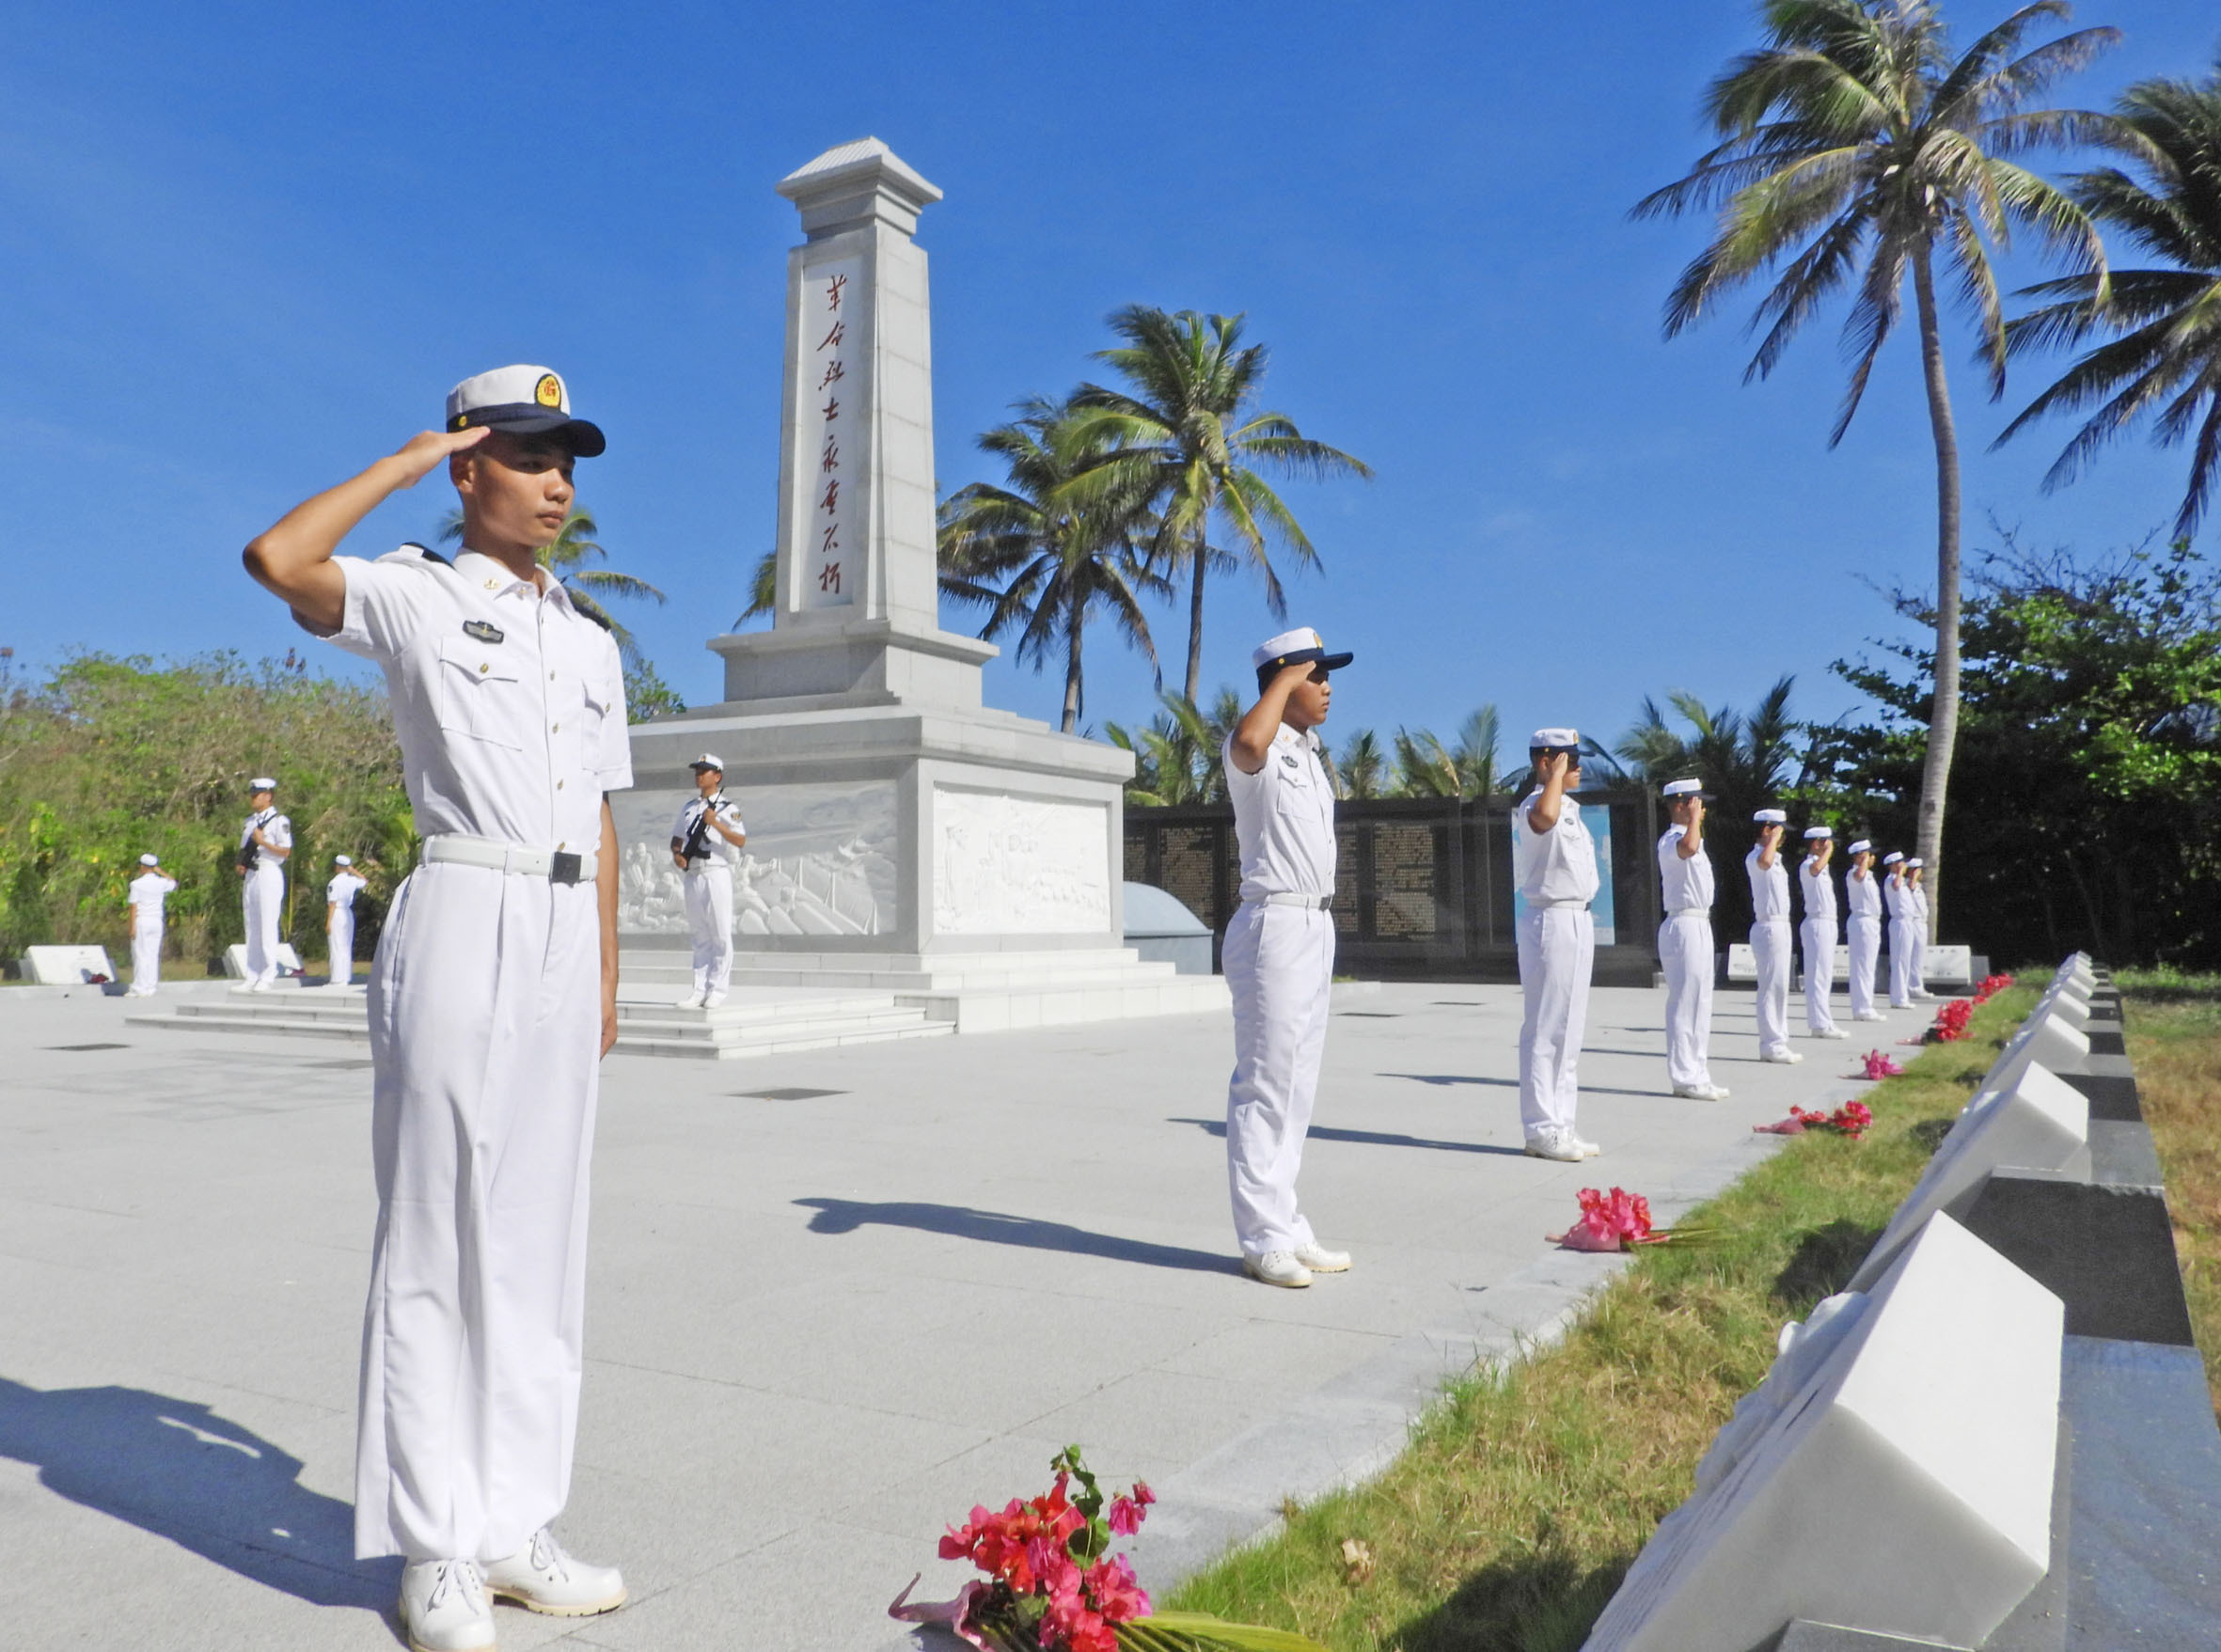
(1054, 1586)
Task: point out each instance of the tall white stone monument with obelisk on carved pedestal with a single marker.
(901, 834)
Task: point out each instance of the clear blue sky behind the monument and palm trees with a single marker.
(250, 248)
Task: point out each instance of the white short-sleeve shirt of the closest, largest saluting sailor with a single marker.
(507, 701)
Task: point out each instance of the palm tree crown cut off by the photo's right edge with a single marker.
(2167, 321)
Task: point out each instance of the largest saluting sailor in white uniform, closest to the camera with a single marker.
(492, 1000)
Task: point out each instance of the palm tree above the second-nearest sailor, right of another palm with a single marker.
(1189, 439)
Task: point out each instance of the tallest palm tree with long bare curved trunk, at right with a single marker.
(1853, 139)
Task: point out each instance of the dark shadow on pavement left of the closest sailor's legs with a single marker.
(205, 1484)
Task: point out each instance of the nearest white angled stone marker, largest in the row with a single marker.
(1891, 1475)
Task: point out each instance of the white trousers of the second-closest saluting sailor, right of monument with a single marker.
(1280, 969)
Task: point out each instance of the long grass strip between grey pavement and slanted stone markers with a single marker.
(1522, 1498)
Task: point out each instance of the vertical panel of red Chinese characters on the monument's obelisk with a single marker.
(836, 332)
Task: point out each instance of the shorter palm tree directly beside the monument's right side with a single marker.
(1041, 563)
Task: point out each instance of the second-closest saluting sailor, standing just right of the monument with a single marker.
(1280, 954)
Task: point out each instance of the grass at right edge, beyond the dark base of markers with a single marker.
(2173, 1027)
